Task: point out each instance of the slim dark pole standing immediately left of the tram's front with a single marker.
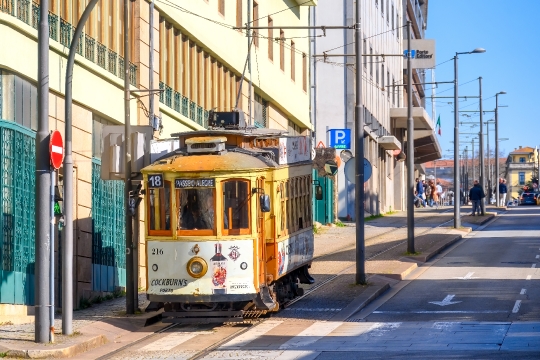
(130, 276)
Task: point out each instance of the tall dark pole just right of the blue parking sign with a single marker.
(359, 156)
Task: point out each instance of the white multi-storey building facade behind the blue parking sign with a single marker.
(384, 99)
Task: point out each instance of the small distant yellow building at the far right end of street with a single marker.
(521, 170)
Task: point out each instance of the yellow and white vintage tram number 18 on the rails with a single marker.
(229, 229)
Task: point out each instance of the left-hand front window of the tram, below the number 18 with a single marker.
(159, 208)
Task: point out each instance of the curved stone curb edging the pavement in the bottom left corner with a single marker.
(64, 352)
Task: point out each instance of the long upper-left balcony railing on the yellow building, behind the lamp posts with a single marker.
(62, 31)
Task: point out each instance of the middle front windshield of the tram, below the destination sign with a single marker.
(196, 209)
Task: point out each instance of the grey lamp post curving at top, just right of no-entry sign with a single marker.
(67, 246)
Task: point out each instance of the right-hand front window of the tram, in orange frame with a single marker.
(236, 199)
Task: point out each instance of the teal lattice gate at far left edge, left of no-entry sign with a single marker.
(17, 201)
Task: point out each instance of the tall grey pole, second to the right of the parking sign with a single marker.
(410, 149)
